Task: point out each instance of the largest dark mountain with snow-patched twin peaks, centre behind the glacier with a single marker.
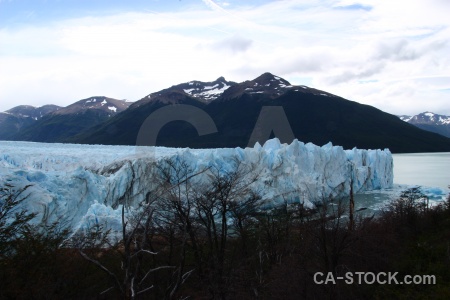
(312, 116)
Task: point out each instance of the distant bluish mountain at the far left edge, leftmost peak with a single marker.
(13, 120)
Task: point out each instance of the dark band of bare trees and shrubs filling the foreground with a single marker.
(210, 239)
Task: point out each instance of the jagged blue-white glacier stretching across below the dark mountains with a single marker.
(86, 184)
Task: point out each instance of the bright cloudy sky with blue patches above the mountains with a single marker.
(393, 55)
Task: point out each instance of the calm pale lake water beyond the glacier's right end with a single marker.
(424, 169)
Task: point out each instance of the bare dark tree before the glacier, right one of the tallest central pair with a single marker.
(227, 196)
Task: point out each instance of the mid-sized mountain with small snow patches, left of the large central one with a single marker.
(66, 122)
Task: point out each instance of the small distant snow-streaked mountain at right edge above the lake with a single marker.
(431, 122)
